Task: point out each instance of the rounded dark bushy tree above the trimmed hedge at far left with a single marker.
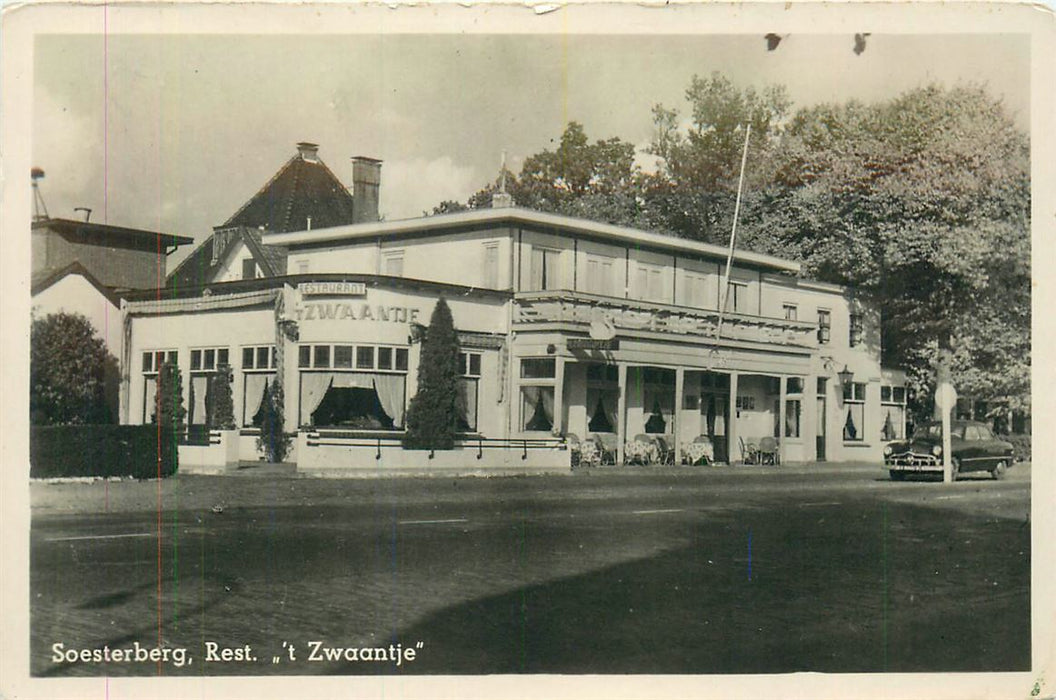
(70, 371)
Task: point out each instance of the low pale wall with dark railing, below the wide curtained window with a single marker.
(365, 456)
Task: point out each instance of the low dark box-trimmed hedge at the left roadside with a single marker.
(133, 451)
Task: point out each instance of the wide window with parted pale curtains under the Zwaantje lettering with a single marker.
(366, 401)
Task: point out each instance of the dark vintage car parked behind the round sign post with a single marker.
(974, 447)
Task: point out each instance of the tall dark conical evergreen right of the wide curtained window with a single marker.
(432, 417)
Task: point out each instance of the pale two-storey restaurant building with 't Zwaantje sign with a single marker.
(567, 327)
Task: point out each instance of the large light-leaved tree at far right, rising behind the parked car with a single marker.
(925, 202)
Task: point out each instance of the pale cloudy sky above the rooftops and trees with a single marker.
(176, 133)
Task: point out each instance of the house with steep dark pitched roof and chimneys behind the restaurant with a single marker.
(304, 195)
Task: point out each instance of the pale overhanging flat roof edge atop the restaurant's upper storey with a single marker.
(517, 216)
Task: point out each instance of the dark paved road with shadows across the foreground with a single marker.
(715, 571)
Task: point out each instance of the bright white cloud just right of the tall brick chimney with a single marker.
(410, 187)
